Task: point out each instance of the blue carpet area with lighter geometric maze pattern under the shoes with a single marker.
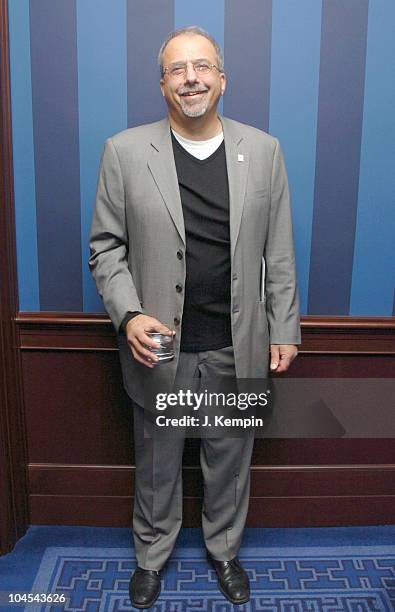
(287, 579)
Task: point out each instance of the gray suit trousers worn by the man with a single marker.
(225, 464)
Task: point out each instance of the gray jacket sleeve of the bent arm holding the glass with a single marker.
(108, 242)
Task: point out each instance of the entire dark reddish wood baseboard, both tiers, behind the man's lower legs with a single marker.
(280, 497)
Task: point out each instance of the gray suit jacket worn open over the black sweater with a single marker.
(138, 228)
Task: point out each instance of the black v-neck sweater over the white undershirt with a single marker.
(206, 323)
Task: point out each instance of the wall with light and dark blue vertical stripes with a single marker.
(318, 74)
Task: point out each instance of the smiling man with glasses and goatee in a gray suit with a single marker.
(192, 231)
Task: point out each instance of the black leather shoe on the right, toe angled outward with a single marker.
(232, 580)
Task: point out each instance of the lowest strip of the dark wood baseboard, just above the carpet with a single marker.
(263, 511)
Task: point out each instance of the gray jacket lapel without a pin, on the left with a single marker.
(162, 166)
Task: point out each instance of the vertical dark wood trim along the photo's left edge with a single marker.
(13, 485)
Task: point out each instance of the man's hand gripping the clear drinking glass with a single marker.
(137, 338)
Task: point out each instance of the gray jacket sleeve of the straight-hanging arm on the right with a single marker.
(282, 302)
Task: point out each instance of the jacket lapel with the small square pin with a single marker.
(237, 162)
